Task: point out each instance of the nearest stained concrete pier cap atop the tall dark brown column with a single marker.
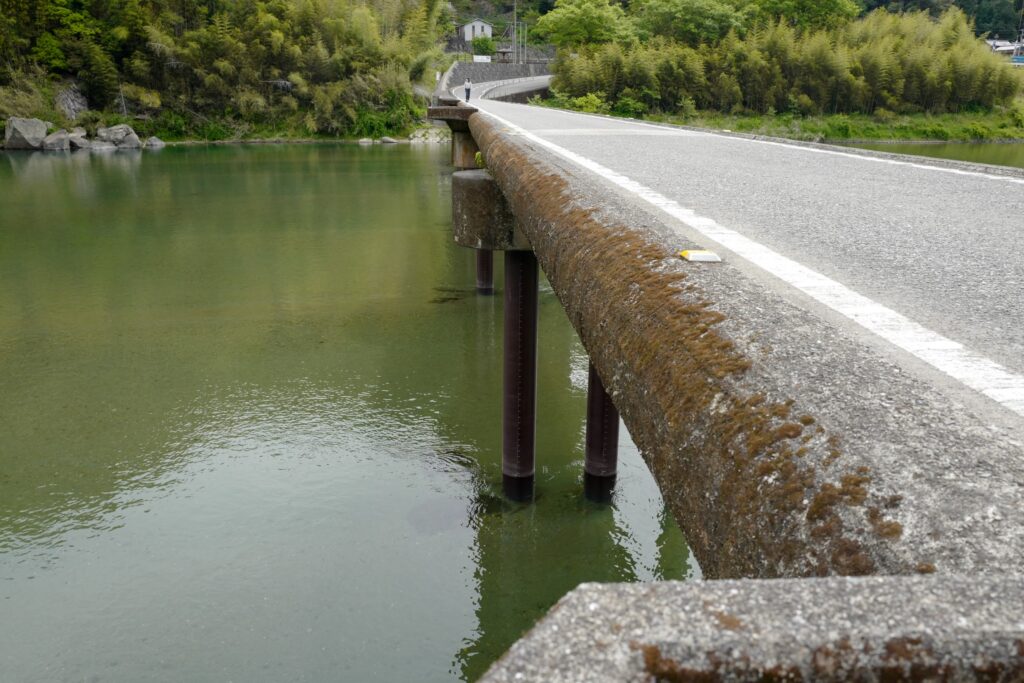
(481, 217)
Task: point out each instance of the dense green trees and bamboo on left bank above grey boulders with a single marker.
(216, 70)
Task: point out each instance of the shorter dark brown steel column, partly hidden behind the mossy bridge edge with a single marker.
(602, 457)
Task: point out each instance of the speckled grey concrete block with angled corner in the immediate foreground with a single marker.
(838, 629)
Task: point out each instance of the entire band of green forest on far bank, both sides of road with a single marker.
(220, 69)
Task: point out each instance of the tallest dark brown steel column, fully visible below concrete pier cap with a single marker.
(520, 414)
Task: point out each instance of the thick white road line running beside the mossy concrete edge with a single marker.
(972, 370)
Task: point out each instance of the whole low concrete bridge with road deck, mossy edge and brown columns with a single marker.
(842, 396)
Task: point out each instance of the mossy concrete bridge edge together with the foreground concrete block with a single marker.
(785, 448)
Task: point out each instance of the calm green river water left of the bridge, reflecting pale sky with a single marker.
(250, 428)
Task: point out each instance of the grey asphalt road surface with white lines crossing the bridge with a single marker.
(942, 245)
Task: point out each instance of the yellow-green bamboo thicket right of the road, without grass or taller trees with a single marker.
(883, 63)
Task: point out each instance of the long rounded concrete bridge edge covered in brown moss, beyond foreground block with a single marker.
(784, 446)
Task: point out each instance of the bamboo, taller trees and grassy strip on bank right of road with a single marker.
(826, 76)
